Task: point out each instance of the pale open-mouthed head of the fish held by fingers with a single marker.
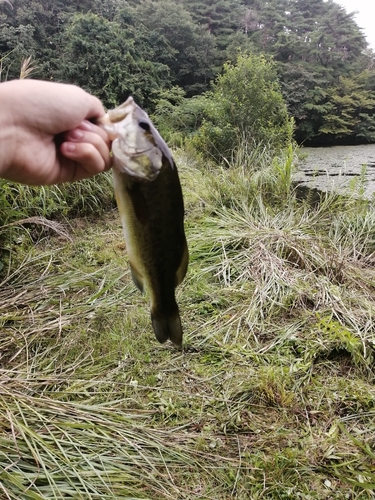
(138, 149)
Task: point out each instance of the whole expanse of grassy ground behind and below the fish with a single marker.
(273, 394)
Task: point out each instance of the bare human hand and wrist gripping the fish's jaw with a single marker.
(45, 133)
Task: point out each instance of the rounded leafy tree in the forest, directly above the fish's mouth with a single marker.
(110, 59)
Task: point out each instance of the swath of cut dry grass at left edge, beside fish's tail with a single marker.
(37, 305)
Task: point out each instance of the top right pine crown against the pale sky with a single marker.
(314, 31)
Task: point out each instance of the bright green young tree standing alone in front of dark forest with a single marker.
(245, 104)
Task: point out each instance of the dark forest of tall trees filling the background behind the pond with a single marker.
(173, 50)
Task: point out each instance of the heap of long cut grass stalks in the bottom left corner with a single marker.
(94, 452)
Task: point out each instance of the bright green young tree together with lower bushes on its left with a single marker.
(245, 105)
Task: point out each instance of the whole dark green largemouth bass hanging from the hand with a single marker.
(149, 199)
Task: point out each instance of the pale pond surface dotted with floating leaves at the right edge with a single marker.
(341, 168)
